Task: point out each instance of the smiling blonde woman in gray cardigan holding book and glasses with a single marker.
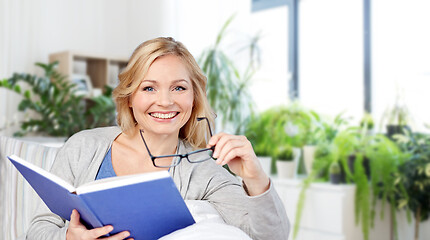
(160, 101)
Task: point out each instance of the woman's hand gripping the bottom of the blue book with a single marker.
(77, 230)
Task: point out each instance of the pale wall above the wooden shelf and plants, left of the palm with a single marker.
(31, 30)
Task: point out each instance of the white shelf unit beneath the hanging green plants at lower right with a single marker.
(328, 213)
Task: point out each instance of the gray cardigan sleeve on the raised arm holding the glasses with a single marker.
(261, 217)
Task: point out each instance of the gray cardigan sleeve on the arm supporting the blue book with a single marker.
(77, 162)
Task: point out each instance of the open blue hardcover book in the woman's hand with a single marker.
(148, 205)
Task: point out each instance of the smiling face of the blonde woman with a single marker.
(163, 102)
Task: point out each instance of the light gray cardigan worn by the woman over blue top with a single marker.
(261, 217)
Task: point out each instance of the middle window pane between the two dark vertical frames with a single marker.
(331, 56)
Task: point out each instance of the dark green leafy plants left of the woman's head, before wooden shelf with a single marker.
(59, 111)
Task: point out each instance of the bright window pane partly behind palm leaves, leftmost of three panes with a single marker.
(270, 85)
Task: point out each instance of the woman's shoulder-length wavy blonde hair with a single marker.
(129, 80)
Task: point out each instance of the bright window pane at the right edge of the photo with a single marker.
(401, 57)
